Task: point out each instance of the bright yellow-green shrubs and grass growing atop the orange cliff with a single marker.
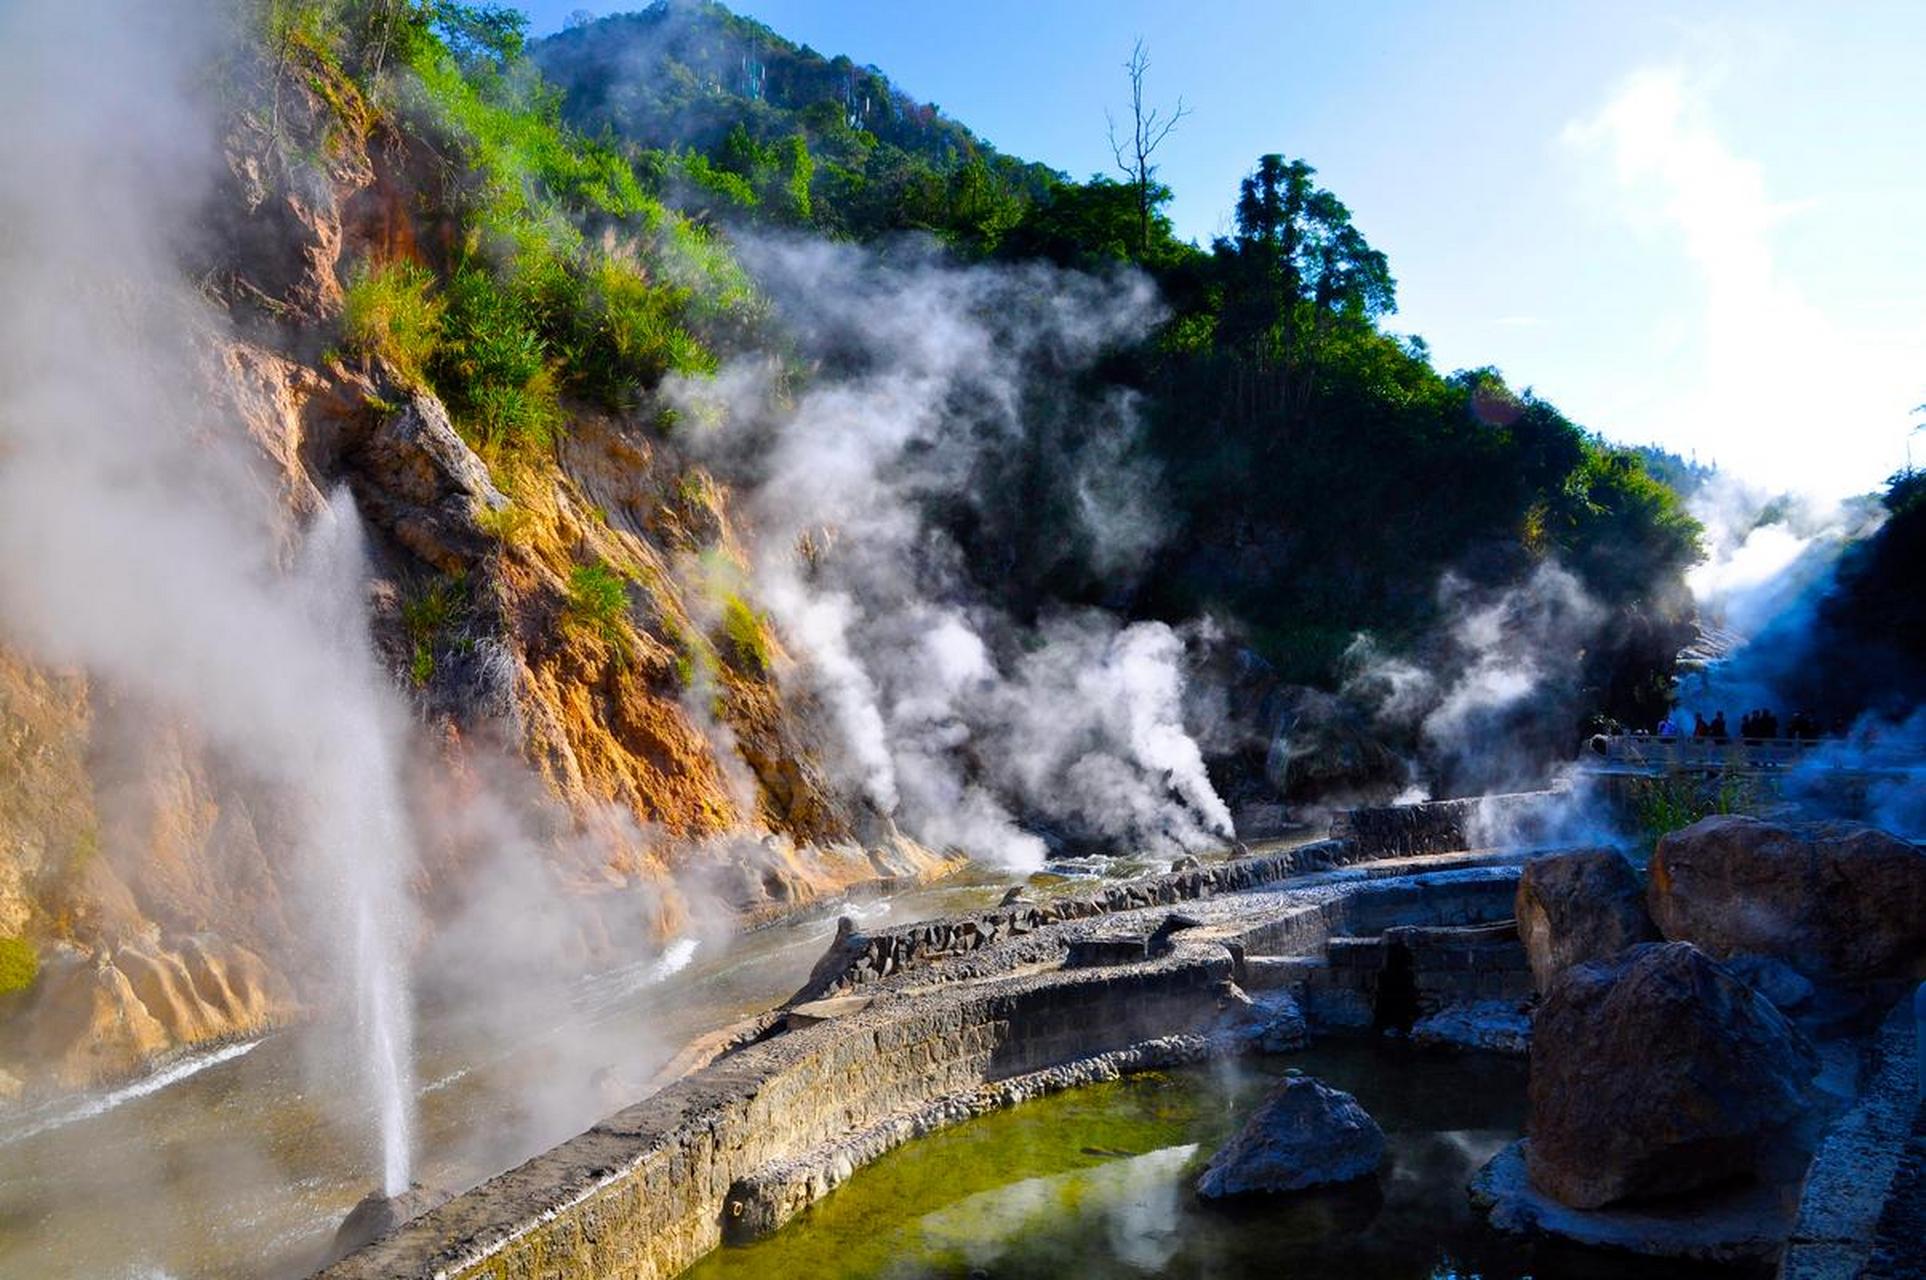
(567, 278)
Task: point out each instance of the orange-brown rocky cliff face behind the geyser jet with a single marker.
(143, 873)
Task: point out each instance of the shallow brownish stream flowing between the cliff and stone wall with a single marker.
(238, 1165)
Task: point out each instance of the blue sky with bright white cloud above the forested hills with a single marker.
(1682, 224)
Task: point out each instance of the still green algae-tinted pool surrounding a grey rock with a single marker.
(1097, 1185)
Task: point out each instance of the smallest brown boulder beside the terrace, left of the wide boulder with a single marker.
(1578, 908)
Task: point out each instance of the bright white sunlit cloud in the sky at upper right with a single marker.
(1775, 388)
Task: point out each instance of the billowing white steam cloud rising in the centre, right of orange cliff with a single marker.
(935, 386)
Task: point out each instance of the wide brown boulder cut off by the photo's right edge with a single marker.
(1835, 900)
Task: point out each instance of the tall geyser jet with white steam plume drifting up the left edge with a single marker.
(140, 536)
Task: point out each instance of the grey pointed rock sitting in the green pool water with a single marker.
(1305, 1137)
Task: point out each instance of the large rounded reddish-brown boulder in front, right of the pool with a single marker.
(1659, 1073)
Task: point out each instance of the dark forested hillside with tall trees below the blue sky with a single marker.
(1316, 474)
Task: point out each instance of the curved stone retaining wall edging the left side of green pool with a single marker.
(758, 1135)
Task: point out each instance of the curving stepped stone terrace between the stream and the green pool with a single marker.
(939, 1023)
